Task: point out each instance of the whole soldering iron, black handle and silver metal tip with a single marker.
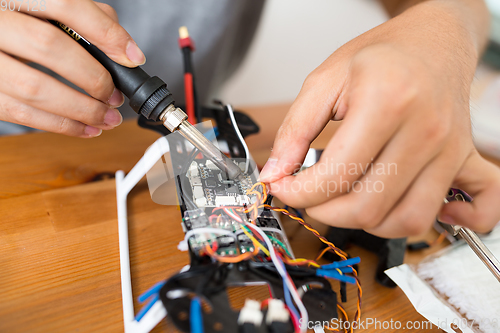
(150, 97)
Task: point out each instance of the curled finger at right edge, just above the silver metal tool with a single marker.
(481, 179)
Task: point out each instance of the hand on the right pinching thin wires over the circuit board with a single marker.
(402, 91)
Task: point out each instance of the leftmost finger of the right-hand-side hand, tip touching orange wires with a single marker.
(308, 115)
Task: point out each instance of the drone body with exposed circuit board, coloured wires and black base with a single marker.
(225, 223)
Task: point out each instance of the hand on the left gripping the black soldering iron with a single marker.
(32, 98)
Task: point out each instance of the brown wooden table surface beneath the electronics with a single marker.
(59, 258)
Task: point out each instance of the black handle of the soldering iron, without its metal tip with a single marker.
(148, 95)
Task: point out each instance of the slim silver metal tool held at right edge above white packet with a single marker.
(475, 243)
